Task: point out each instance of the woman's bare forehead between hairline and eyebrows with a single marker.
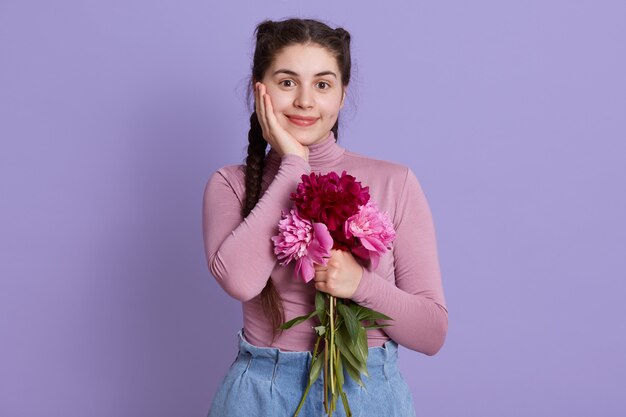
(305, 60)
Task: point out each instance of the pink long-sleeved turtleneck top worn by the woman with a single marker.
(406, 285)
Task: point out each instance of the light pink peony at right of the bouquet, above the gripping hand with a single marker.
(374, 231)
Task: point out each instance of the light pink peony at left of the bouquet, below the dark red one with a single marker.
(304, 241)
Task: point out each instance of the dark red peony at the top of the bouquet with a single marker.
(330, 199)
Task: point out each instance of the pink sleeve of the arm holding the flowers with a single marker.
(416, 302)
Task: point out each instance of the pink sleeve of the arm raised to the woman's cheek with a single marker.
(239, 251)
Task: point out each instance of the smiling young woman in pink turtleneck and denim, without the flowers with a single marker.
(300, 77)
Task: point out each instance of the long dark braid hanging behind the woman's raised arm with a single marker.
(255, 162)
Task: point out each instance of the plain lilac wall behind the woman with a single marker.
(114, 114)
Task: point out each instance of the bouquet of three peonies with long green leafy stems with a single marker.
(334, 212)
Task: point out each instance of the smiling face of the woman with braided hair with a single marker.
(304, 81)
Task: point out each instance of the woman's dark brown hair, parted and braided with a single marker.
(271, 38)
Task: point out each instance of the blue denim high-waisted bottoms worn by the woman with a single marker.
(265, 381)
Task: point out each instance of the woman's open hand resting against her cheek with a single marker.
(278, 138)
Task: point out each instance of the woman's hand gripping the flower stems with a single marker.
(341, 275)
